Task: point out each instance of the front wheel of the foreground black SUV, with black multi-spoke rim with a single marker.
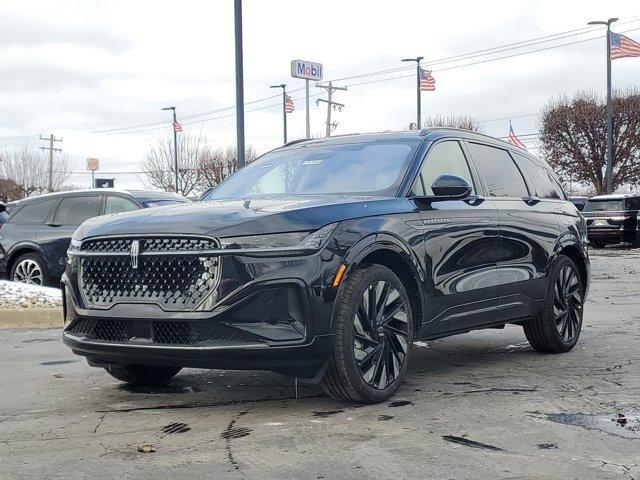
(369, 358)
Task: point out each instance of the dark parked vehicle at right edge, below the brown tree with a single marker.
(613, 219)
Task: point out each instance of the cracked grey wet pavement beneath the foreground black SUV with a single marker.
(480, 405)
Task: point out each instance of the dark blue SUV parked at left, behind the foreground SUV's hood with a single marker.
(36, 235)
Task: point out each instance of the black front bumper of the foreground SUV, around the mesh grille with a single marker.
(277, 318)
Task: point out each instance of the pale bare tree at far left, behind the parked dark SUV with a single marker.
(29, 169)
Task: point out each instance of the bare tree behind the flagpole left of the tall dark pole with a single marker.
(158, 162)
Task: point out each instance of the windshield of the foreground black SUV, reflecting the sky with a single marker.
(364, 168)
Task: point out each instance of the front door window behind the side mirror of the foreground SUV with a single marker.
(444, 158)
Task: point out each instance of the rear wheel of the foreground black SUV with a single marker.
(557, 327)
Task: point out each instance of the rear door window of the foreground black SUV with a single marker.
(500, 174)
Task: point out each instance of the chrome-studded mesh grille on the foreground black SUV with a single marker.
(176, 283)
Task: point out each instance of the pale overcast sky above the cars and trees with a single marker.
(76, 67)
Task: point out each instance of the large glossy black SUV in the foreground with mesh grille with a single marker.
(325, 260)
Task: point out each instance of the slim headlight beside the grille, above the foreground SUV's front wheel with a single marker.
(303, 240)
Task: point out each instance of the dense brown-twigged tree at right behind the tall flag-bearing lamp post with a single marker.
(573, 138)
